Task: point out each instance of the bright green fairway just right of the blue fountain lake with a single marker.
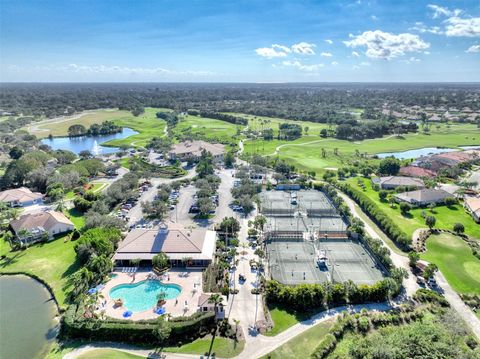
(147, 124)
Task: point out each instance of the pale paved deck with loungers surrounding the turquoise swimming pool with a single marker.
(173, 307)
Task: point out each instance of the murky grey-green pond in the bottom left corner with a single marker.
(28, 323)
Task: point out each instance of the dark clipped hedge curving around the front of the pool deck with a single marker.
(184, 329)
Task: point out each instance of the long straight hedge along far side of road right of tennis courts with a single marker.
(377, 216)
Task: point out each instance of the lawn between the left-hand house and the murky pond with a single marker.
(54, 262)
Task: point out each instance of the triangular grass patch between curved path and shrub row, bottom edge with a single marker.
(303, 345)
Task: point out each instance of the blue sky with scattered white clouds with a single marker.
(244, 41)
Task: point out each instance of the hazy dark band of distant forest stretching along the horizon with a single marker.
(312, 102)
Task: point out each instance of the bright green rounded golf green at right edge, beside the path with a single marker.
(455, 260)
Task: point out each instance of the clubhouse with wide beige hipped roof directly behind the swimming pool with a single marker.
(177, 243)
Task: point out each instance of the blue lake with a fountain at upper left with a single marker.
(78, 144)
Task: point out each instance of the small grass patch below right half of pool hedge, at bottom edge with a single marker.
(221, 347)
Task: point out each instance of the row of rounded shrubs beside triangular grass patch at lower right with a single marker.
(362, 323)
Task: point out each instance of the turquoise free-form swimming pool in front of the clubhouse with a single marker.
(142, 296)
